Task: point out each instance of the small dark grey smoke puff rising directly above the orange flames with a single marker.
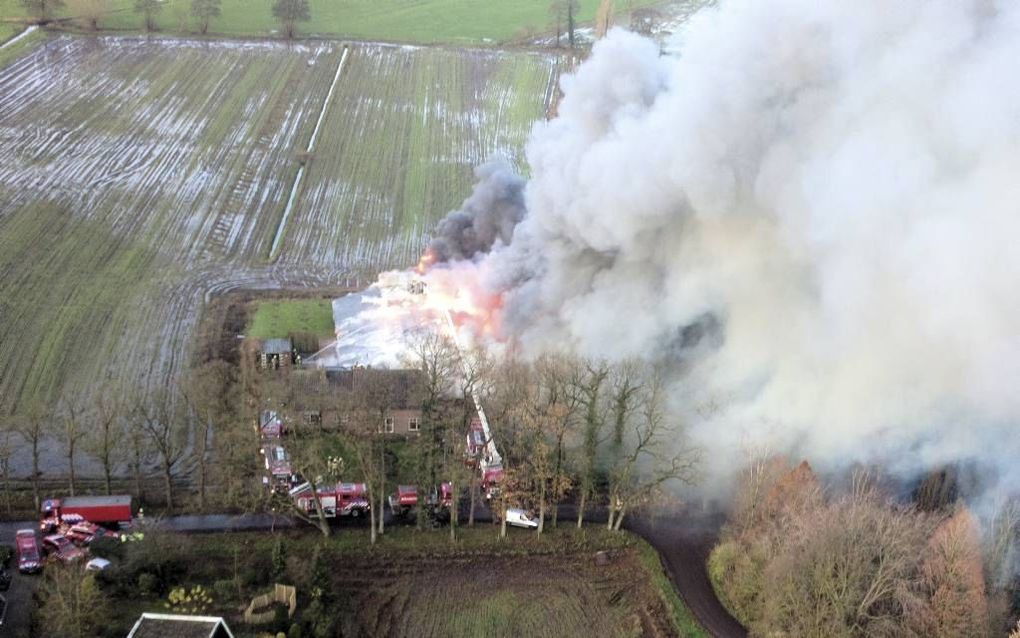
(487, 217)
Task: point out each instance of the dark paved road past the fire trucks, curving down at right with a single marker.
(683, 542)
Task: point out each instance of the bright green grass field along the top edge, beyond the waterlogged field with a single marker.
(450, 22)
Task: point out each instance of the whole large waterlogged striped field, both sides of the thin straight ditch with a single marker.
(133, 188)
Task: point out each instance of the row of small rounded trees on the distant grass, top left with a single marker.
(89, 13)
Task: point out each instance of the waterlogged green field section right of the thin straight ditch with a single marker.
(399, 144)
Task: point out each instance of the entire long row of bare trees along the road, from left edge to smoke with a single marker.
(591, 431)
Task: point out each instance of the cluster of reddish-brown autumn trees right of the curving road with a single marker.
(795, 561)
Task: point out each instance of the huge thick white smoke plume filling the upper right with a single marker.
(826, 192)
